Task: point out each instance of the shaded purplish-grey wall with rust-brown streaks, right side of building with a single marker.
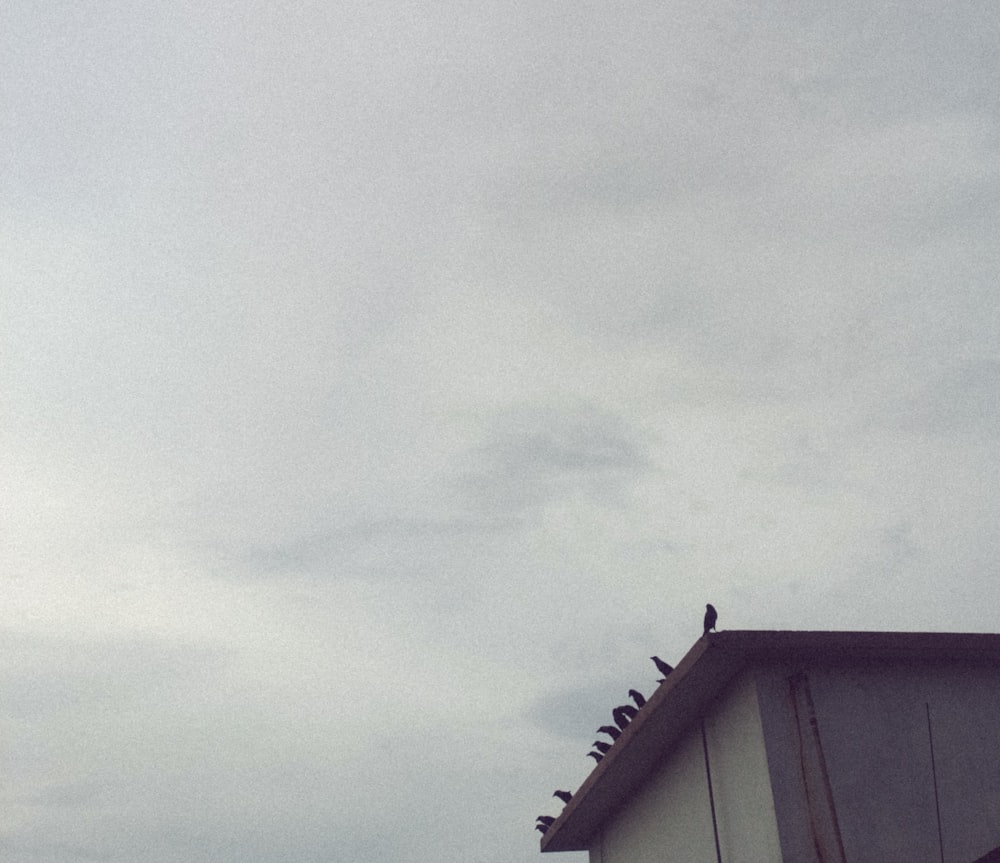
(873, 726)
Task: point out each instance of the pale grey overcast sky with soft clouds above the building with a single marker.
(382, 384)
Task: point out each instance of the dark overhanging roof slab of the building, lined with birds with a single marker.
(703, 674)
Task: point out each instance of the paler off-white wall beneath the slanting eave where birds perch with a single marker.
(669, 819)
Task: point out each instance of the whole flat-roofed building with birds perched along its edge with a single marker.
(804, 747)
